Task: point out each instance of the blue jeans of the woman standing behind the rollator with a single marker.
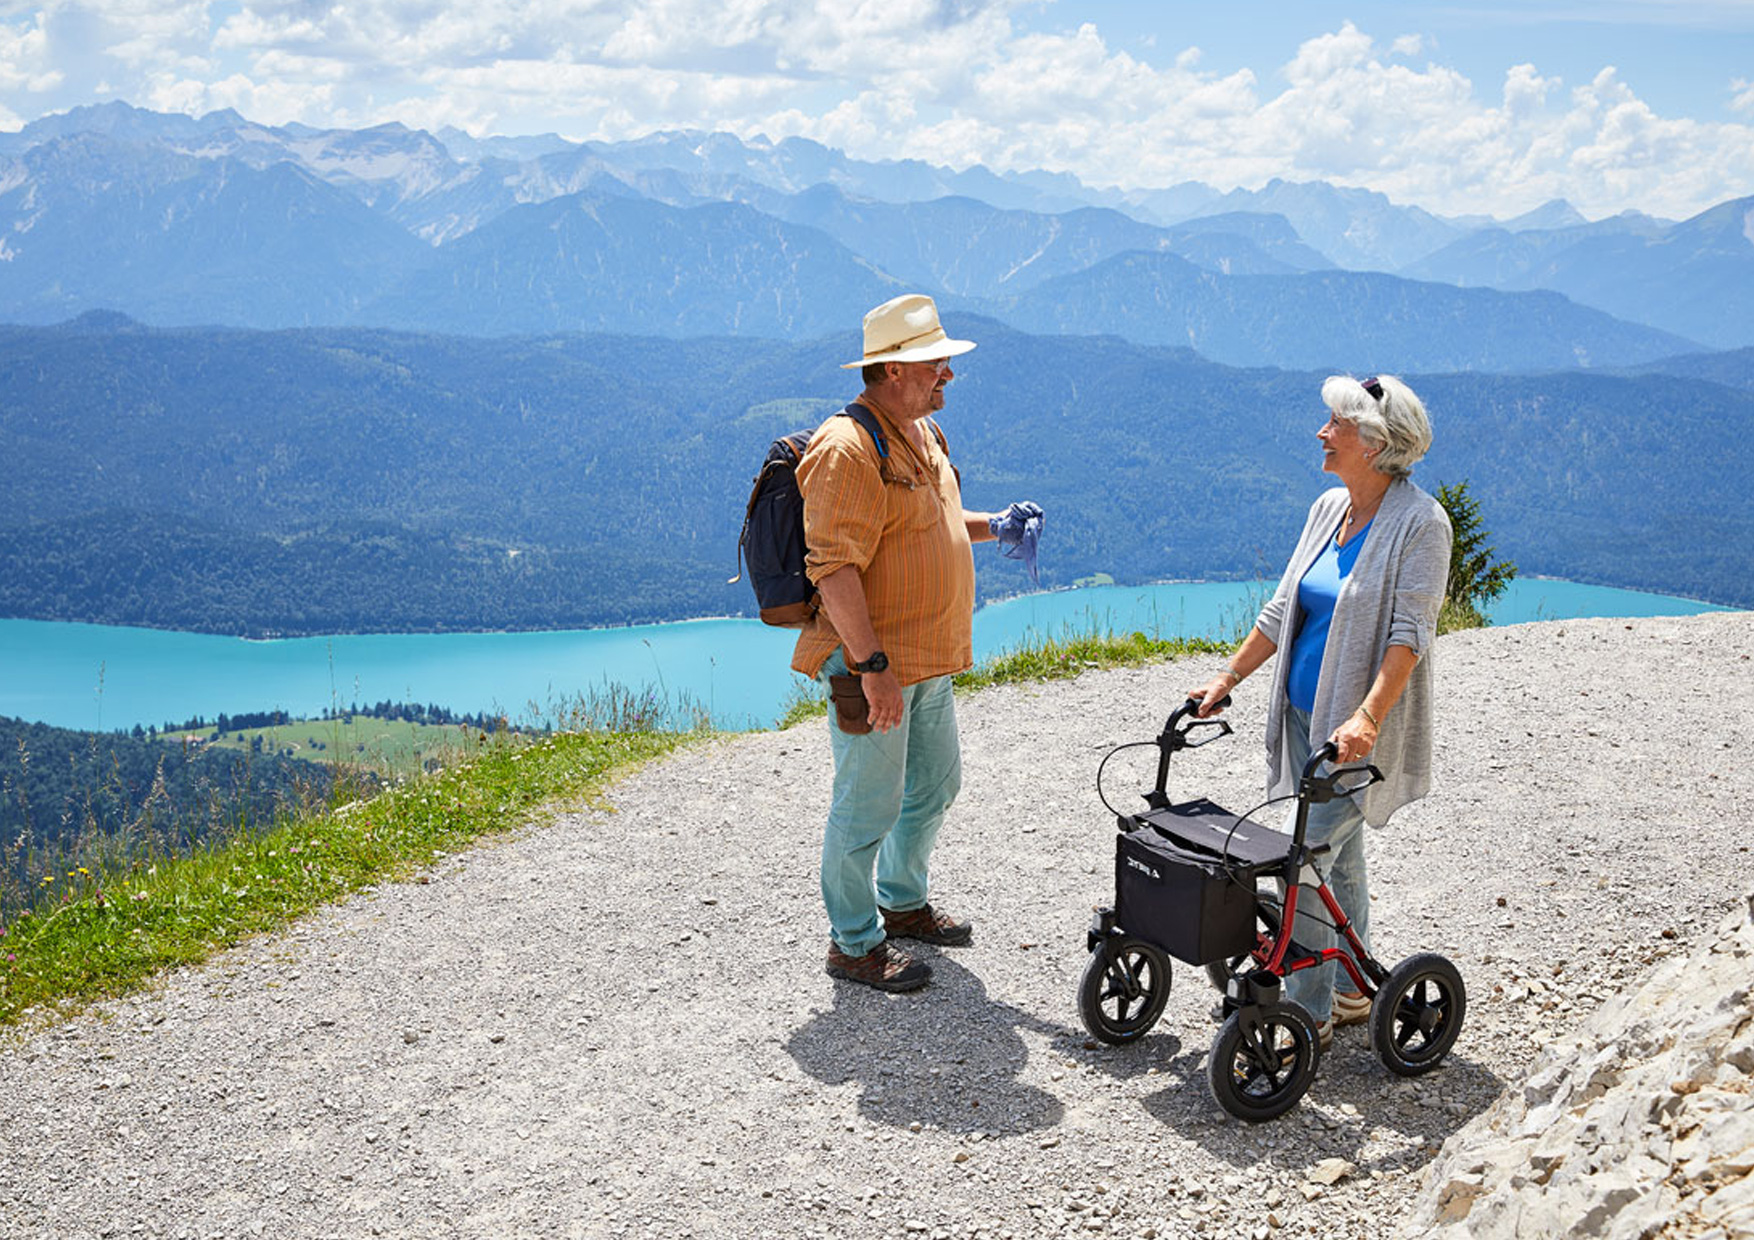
(1339, 825)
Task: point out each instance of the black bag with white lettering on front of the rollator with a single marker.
(1180, 901)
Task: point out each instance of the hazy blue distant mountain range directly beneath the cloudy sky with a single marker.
(217, 220)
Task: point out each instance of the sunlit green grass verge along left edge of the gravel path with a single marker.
(94, 936)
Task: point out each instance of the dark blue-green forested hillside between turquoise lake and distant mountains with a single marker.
(346, 481)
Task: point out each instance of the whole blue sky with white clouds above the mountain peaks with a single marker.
(1460, 108)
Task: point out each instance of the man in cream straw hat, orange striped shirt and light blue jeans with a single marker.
(890, 555)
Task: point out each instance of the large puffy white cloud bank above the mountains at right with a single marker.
(1346, 113)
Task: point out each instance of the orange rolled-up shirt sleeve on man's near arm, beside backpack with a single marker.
(843, 501)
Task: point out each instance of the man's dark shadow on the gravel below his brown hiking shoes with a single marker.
(945, 1057)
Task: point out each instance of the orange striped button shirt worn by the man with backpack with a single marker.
(901, 524)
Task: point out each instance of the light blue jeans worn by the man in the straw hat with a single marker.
(892, 790)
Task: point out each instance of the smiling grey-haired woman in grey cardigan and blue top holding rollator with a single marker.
(1355, 616)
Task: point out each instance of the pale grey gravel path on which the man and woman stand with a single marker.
(620, 1025)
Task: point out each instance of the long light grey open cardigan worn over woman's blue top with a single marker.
(1390, 599)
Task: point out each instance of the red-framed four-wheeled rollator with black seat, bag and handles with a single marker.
(1202, 885)
